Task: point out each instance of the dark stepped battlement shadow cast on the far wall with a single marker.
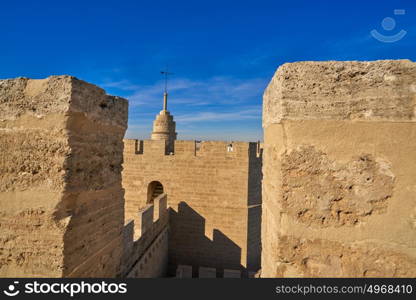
(193, 248)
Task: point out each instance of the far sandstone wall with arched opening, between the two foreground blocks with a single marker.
(214, 196)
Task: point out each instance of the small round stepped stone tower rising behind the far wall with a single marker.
(164, 127)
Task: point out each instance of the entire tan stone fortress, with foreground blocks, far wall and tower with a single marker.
(329, 193)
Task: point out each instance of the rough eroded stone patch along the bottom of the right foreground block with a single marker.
(323, 258)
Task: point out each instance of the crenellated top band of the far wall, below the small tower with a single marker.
(193, 148)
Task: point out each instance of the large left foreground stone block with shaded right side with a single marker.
(61, 200)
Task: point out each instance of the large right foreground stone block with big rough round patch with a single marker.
(339, 170)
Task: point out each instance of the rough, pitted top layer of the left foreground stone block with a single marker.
(58, 95)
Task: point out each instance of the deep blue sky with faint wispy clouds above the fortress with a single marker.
(223, 53)
